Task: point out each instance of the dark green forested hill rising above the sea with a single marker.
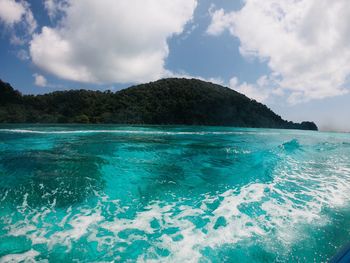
(167, 101)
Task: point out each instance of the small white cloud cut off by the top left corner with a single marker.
(17, 16)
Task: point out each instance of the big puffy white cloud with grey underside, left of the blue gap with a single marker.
(110, 41)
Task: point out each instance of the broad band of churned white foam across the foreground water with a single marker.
(280, 220)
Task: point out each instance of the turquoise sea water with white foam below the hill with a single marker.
(172, 194)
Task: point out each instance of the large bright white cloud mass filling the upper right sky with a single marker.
(305, 43)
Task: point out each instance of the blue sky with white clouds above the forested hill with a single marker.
(292, 55)
